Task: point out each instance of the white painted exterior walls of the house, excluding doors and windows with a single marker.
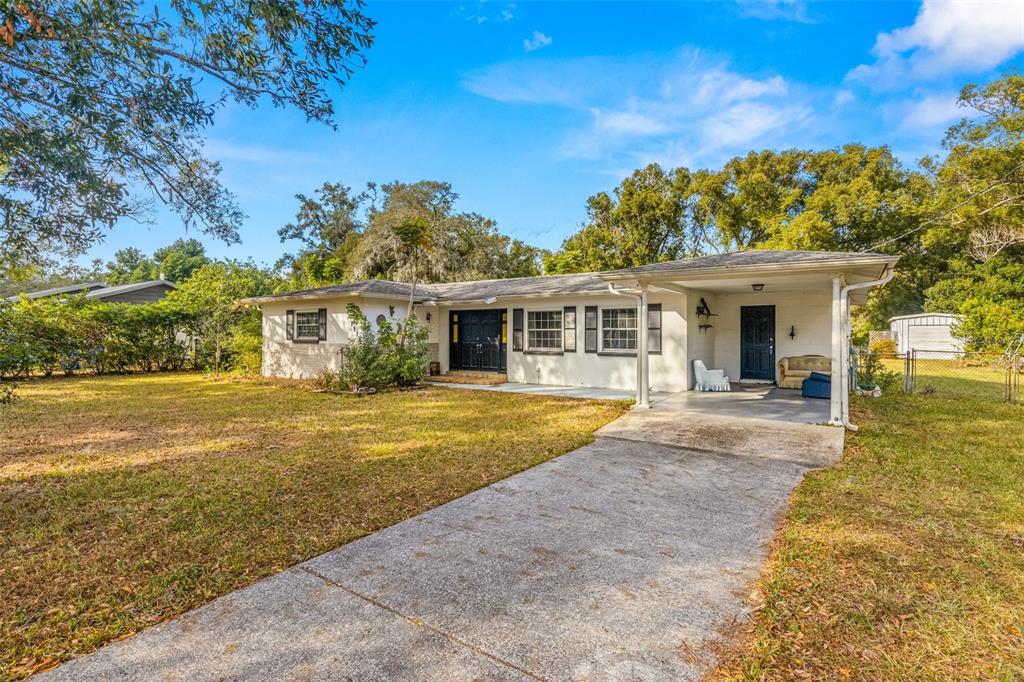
(670, 371)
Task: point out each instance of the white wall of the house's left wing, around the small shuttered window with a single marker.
(289, 360)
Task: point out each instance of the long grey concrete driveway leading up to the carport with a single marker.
(623, 561)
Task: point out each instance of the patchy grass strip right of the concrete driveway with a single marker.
(906, 561)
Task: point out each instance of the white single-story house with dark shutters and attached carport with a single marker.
(641, 327)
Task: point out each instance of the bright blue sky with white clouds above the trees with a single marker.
(530, 108)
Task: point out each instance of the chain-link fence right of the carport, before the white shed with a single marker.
(952, 374)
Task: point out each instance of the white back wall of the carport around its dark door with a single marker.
(809, 313)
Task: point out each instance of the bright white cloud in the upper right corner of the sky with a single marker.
(948, 37)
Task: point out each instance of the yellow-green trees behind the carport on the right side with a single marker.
(957, 221)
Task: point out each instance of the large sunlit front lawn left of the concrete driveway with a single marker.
(129, 500)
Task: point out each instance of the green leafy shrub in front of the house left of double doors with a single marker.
(392, 355)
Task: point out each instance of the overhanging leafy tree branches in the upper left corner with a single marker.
(105, 105)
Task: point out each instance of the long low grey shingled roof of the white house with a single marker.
(587, 282)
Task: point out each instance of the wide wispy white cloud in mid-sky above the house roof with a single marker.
(687, 108)
